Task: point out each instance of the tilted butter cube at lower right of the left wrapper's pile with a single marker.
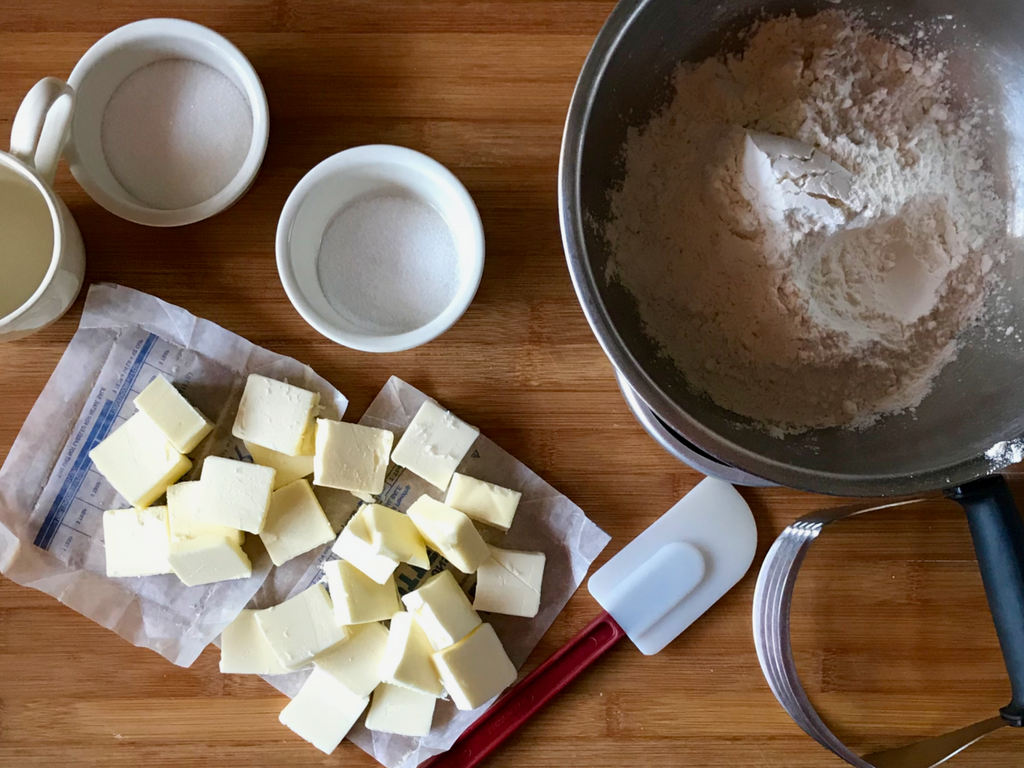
(295, 523)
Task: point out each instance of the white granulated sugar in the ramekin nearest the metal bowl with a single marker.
(389, 264)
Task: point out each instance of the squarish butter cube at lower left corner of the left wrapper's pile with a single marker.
(136, 542)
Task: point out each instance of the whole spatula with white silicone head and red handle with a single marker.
(652, 591)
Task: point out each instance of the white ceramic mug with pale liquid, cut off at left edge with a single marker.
(42, 258)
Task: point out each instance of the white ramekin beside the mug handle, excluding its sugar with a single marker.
(116, 57)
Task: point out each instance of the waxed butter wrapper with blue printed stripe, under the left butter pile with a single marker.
(52, 498)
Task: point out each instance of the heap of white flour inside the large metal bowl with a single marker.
(798, 308)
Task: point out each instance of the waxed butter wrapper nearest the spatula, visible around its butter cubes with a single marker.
(546, 522)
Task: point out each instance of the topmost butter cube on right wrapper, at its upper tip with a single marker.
(435, 445)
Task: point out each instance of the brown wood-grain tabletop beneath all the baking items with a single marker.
(891, 626)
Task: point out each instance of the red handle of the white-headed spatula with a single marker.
(520, 704)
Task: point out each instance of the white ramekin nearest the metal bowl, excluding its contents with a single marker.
(335, 184)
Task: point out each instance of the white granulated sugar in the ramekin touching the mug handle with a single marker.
(176, 134)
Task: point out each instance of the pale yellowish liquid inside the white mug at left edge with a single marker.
(26, 240)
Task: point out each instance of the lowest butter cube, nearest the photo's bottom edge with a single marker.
(323, 712)
